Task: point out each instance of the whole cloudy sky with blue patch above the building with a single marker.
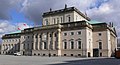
(15, 13)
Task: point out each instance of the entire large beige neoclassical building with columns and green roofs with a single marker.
(64, 32)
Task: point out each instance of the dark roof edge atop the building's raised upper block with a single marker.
(64, 11)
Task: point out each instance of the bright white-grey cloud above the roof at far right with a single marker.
(107, 12)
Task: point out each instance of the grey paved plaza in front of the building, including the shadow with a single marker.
(37, 60)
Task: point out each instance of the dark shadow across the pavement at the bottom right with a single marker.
(102, 61)
